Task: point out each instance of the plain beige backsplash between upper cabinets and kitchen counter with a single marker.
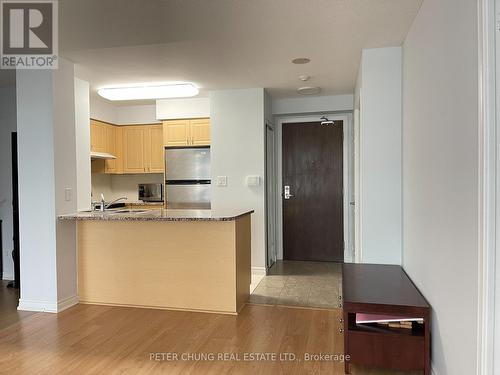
(115, 186)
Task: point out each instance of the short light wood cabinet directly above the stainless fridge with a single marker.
(194, 132)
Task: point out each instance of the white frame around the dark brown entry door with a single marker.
(348, 170)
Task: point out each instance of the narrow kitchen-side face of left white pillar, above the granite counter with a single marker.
(82, 123)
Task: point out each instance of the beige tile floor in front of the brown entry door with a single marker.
(297, 283)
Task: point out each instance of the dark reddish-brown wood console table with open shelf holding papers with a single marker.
(384, 290)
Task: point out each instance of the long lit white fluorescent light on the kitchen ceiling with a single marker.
(149, 91)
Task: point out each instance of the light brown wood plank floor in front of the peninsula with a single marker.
(88, 339)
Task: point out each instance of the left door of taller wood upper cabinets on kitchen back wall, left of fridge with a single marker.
(134, 139)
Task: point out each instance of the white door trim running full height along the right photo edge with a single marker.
(488, 322)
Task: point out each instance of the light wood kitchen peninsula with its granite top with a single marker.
(195, 260)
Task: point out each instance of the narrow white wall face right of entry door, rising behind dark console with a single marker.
(380, 156)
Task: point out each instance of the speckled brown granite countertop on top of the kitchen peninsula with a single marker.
(158, 215)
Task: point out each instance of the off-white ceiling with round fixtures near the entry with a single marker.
(228, 44)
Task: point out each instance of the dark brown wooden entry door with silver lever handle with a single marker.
(313, 226)
